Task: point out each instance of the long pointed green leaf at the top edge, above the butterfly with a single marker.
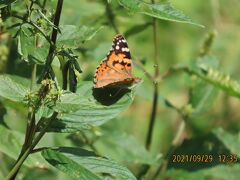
(164, 11)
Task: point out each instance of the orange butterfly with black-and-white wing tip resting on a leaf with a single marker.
(116, 68)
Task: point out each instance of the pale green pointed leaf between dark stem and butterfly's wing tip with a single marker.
(73, 36)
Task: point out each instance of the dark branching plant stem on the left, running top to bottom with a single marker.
(29, 144)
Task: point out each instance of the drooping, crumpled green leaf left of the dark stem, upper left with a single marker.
(27, 46)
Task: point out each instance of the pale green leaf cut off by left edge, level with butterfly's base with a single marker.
(10, 89)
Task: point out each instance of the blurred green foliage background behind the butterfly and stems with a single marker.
(179, 44)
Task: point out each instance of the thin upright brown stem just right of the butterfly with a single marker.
(155, 94)
